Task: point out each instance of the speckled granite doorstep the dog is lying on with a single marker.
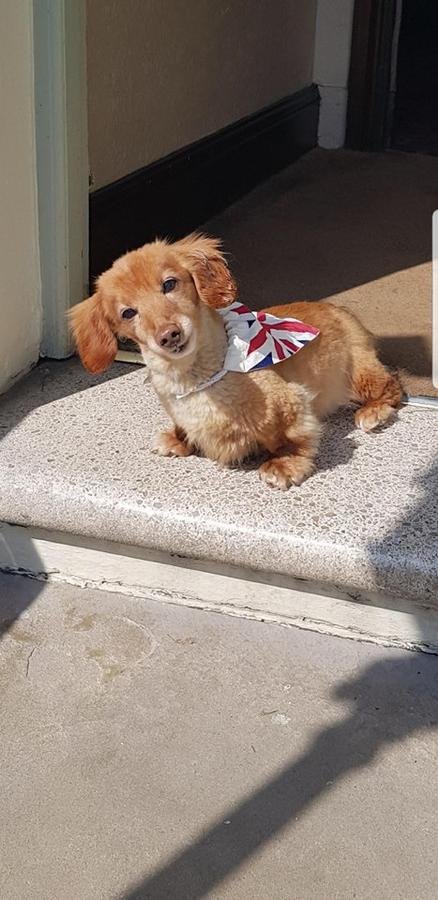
(75, 457)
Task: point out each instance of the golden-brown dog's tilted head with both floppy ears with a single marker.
(152, 296)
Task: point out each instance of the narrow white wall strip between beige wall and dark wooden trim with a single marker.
(334, 21)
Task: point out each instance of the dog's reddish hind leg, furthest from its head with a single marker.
(376, 389)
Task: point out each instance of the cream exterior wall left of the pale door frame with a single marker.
(20, 289)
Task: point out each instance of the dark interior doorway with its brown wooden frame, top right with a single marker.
(393, 80)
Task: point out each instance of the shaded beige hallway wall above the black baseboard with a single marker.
(165, 73)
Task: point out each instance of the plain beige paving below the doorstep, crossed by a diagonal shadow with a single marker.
(153, 752)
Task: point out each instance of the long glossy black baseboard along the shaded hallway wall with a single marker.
(179, 193)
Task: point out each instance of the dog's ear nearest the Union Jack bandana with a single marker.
(203, 258)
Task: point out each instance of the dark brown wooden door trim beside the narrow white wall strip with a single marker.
(369, 100)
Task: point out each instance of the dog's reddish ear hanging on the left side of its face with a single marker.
(95, 339)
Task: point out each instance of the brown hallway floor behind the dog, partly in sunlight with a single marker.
(353, 228)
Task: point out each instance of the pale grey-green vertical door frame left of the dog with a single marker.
(62, 163)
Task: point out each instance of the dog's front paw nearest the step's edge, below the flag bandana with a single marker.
(294, 462)
